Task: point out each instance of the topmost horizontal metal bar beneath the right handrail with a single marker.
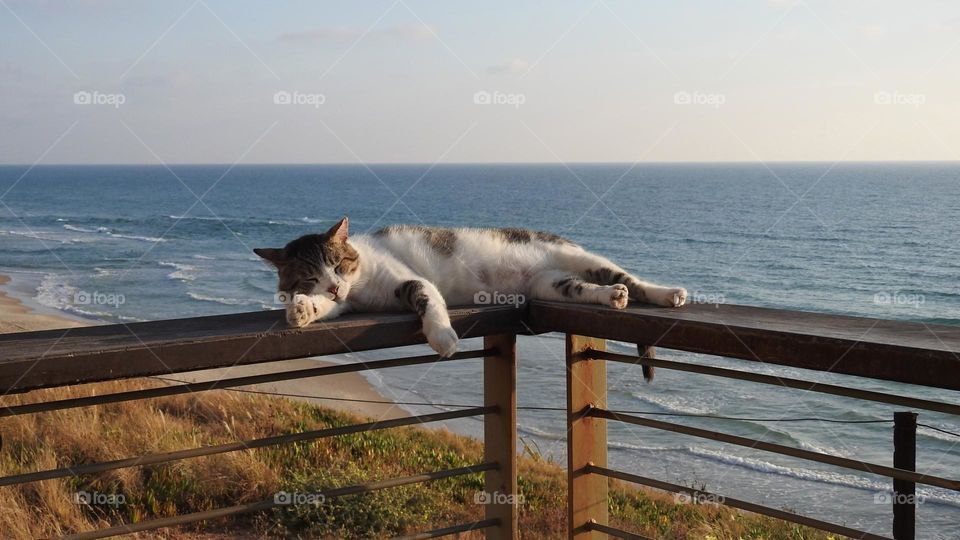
(867, 395)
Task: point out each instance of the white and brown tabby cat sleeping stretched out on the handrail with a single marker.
(422, 269)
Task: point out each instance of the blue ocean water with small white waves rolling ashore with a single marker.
(131, 243)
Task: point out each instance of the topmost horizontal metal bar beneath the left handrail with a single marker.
(203, 386)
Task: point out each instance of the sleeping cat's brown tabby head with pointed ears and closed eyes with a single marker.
(320, 264)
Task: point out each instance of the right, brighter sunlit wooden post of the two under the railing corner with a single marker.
(586, 438)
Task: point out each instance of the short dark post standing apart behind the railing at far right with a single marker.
(904, 491)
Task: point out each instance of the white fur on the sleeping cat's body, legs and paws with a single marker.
(482, 260)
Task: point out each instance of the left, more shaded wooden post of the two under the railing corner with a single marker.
(500, 435)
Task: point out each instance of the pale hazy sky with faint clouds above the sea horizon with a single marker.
(396, 81)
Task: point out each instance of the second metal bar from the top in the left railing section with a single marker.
(152, 459)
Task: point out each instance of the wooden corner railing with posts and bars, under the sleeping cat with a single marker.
(918, 354)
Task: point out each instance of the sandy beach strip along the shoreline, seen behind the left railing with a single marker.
(17, 317)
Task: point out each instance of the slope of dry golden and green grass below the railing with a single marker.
(63, 438)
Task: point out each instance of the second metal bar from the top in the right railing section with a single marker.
(819, 457)
